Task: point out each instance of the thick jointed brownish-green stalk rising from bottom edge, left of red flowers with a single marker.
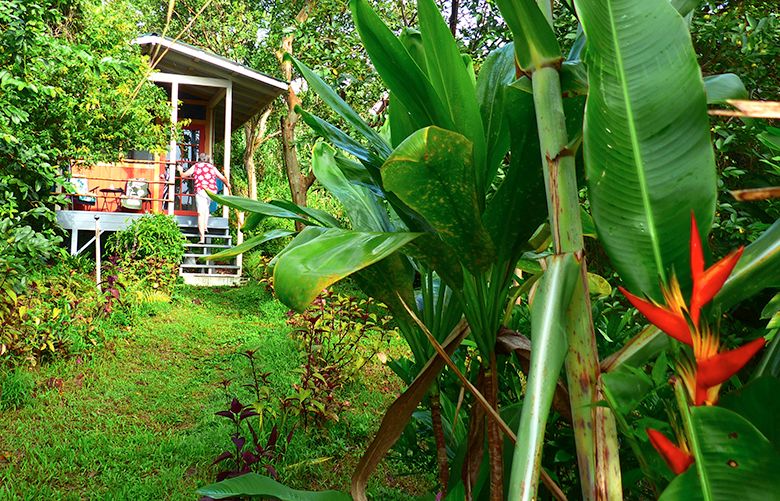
(594, 432)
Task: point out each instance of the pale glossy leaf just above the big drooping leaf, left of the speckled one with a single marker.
(365, 212)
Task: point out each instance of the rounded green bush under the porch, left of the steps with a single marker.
(148, 252)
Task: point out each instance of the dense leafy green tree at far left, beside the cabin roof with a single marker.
(72, 88)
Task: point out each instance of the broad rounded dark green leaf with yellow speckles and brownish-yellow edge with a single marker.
(432, 172)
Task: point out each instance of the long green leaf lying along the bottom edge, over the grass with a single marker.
(252, 484)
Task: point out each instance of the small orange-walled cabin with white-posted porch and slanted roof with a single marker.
(215, 96)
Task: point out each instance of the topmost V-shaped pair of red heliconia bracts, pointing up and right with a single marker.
(707, 283)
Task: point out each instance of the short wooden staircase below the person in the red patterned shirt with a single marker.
(196, 271)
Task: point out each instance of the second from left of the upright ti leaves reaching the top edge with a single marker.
(451, 79)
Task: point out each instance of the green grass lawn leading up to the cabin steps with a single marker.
(135, 418)
